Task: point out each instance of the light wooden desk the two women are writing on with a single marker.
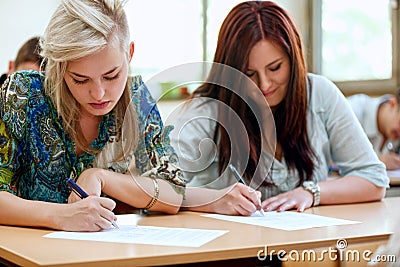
(27, 247)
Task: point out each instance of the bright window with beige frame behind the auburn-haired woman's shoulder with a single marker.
(355, 44)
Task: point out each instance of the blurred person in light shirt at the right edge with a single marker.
(380, 119)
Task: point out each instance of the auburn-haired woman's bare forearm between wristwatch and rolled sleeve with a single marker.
(349, 189)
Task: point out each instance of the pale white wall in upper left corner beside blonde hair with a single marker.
(20, 20)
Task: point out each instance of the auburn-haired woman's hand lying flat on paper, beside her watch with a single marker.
(298, 199)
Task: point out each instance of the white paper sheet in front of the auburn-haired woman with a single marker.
(286, 220)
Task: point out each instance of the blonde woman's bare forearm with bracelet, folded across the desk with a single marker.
(138, 191)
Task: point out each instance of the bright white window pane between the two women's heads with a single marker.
(165, 33)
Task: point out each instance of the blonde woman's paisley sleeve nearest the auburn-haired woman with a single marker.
(154, 155)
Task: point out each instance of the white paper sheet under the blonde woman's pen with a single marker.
(150, 235)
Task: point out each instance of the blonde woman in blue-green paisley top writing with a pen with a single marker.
(83, 118)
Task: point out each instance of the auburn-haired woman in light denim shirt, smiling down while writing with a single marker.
(314, 122)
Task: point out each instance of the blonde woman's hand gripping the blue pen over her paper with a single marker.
(89, 214)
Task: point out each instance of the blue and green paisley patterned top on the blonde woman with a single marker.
(36, 154)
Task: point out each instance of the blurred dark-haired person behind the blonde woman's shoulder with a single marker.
(28, 58)
